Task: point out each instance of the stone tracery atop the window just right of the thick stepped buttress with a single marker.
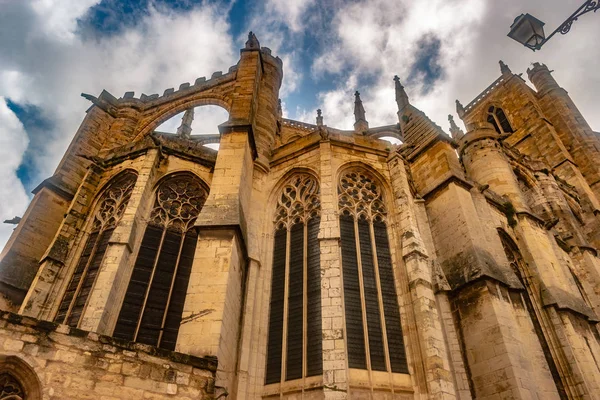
(299, 201)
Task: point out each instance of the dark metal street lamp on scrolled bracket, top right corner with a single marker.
(529, 31)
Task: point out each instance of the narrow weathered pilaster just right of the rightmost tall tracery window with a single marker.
(430, 356)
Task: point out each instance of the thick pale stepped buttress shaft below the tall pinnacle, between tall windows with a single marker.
(213, 305)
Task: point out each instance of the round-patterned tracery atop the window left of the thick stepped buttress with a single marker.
(179, 200)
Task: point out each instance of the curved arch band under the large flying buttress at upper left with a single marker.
(154, 118)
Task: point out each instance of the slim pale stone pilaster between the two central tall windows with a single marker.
(335, 372)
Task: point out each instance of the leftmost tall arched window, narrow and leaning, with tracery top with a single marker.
(108, 213)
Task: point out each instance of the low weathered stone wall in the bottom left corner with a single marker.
(70, 363)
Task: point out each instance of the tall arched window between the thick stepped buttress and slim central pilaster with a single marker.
(294, 346)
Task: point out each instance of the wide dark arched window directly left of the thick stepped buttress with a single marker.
(153, 304)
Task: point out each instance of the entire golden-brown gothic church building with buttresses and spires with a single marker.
(491, 237)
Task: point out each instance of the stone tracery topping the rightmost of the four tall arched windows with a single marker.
(360, 197)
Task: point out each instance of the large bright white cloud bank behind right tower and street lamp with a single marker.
(372, 40)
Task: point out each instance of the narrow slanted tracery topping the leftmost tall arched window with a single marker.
(114, 200)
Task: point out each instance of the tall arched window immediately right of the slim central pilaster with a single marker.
(373, 330)
